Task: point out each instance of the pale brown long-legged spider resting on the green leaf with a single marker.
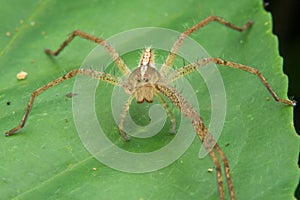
(146, 81)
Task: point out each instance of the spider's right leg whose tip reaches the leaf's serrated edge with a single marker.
(193, 66)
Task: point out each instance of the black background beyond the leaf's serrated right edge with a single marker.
(286, 25)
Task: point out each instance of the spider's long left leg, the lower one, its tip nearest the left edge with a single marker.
(86, 72)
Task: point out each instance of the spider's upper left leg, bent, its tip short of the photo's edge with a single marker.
(112, 52)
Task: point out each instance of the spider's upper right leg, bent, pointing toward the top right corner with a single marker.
(176, 46)
